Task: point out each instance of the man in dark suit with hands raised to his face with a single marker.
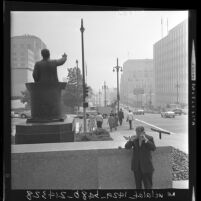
(141, 163)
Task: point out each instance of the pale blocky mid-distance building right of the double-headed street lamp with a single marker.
(137, 83)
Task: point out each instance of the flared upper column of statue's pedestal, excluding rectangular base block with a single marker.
(46, 101)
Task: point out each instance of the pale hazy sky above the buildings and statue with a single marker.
(108, 35)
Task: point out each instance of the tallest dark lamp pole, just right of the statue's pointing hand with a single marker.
(84, 107)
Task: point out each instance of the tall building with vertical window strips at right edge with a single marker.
(171, 67)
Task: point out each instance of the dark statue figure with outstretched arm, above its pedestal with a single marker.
(46, 69)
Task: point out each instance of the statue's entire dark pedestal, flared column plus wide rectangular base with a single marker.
(47, 123)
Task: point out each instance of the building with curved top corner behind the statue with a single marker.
(25, 51)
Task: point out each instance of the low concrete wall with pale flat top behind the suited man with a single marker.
(48, 168)
